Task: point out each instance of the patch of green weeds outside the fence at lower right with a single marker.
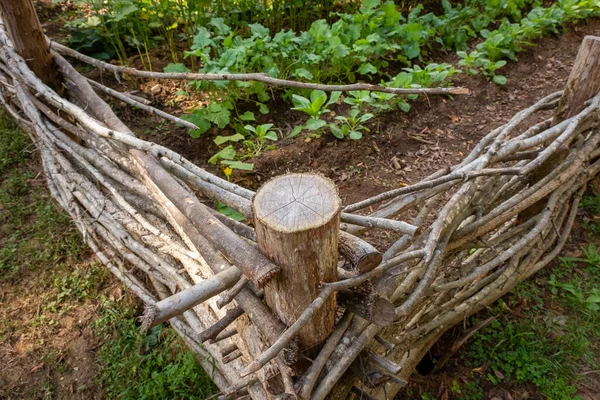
(549, 349)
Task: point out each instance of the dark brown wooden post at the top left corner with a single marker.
(29, 40)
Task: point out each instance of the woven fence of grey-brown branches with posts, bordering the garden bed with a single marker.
(270, 310)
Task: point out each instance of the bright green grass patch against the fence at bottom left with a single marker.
(153, 366)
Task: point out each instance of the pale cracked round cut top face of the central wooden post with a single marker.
(296, 202)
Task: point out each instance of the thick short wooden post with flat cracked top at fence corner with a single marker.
(297, 219)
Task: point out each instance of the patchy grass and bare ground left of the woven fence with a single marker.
(50, 284)
